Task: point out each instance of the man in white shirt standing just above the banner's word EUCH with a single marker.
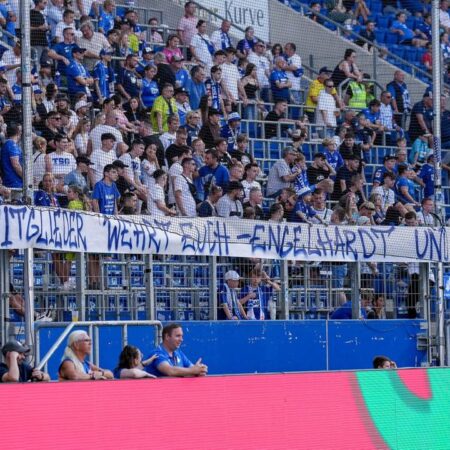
(185, 190)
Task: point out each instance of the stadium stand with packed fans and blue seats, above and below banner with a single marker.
(150, 111)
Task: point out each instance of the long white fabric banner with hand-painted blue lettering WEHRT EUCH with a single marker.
(76, 231)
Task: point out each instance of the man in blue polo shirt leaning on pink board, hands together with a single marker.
(170, 360)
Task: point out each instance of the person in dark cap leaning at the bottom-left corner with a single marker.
(15, 369)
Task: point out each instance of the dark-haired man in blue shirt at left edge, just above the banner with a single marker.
(12, 158)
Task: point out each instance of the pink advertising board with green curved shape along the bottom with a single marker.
(383, 409)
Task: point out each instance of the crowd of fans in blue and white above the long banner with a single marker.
(124, 123)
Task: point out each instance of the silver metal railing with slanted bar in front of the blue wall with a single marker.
(93, 329)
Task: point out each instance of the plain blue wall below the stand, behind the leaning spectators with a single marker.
(272, 346)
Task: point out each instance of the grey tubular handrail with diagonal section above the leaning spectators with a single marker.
(91, 324)
